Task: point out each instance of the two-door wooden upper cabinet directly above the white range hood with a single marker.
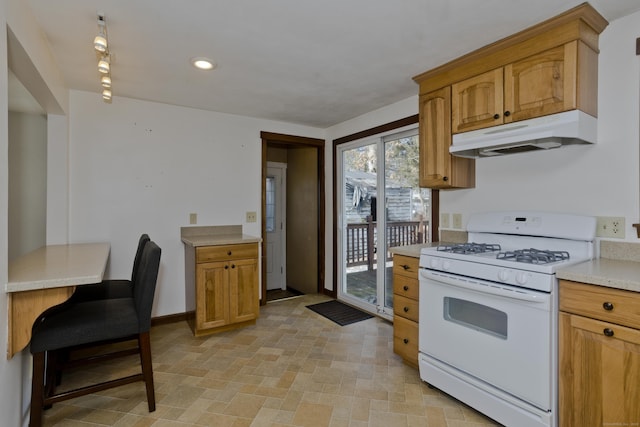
(546, 83)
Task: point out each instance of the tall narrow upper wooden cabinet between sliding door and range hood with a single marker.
(439, 169)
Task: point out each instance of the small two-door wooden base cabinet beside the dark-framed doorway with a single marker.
(226, 288)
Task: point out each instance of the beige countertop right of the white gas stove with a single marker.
(612, 273)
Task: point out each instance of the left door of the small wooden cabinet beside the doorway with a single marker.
(211, 295)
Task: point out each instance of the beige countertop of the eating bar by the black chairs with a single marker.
(57, 266)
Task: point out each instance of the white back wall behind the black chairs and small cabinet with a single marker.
(142, 167)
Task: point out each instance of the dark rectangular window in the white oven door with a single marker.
(476, 316)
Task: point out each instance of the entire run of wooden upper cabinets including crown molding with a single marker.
(546, 69)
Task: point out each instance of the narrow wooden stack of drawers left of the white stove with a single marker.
(405, 308)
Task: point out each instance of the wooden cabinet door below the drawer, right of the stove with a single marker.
(599, 374)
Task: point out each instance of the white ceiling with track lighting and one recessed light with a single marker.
(312, 63)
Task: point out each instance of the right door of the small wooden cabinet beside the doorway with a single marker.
(243, 290)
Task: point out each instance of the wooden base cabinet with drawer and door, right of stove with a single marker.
(599, 356)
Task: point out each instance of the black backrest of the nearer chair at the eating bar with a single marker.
(144, 284)
